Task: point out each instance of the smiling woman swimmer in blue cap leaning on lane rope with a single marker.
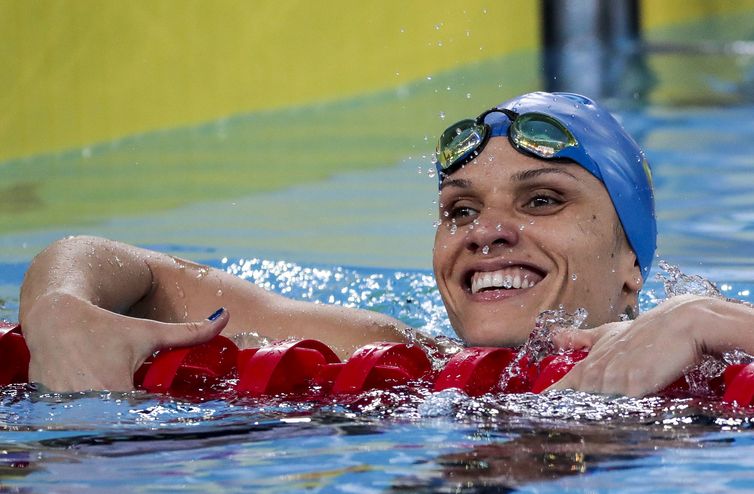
(545, 202)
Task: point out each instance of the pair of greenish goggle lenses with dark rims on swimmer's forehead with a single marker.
(535, 133)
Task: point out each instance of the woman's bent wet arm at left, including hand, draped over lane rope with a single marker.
(92, 310)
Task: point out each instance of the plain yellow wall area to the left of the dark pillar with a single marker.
(84, 71)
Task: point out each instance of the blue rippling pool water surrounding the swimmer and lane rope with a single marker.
(404, 440)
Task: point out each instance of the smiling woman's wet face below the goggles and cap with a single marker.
(519, 235)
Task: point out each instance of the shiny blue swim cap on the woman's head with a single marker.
(610, 154)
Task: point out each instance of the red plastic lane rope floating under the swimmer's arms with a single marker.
(311, 368)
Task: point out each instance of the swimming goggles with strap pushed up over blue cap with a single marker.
(534, 133)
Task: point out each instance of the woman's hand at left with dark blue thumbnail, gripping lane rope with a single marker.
(76, 345)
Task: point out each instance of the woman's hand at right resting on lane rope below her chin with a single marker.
(640, 357)
